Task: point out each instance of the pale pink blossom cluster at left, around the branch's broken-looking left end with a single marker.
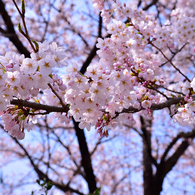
(23, 78)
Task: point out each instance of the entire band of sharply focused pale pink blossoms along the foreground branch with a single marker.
(129, 74)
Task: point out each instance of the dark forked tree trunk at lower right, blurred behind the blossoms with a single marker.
(153, 181)
